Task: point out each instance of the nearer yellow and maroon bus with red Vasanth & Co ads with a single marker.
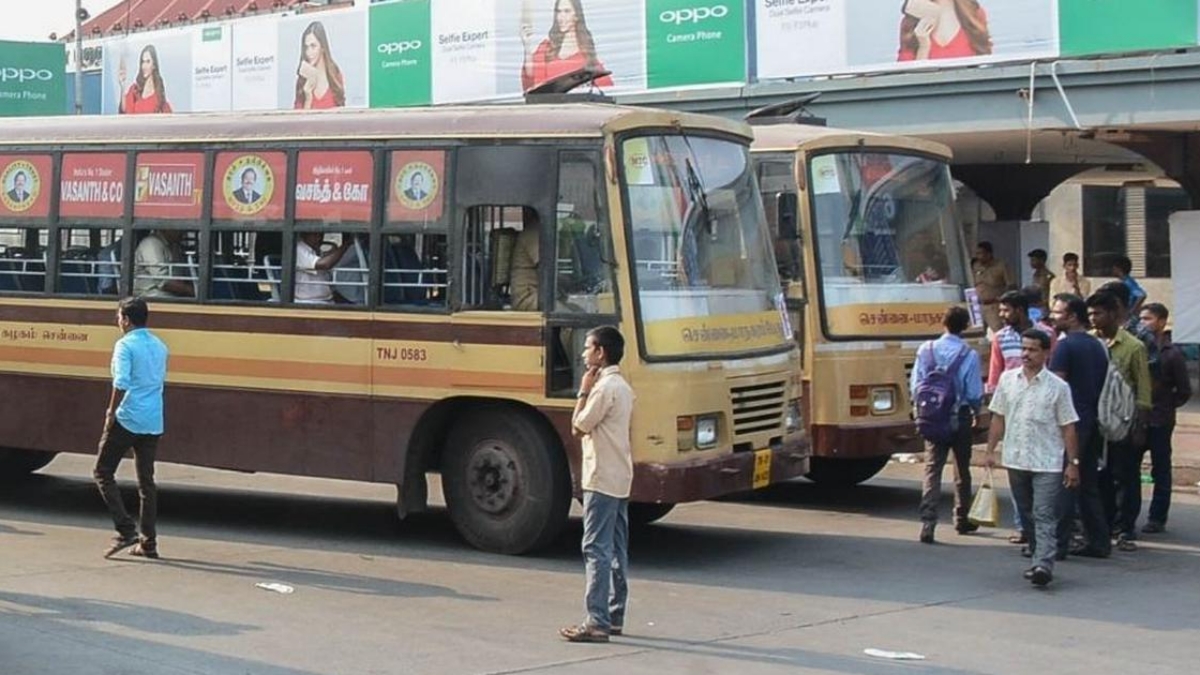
(428, 337)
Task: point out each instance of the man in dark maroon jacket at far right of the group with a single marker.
(1172, 389)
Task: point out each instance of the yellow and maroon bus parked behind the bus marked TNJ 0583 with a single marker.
(871, 252)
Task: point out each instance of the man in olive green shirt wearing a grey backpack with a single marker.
(1129, 355)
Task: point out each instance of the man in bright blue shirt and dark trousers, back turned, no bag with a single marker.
(134, 421)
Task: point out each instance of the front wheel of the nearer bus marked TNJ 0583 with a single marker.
(507, 485)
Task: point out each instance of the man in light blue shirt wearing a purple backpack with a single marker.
(969, 390)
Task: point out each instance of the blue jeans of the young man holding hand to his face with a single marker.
(607, 559)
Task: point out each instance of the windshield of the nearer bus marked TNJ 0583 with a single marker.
(704, 270)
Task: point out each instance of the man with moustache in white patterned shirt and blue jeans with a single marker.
(1034, 414)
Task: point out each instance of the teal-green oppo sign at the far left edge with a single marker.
(33, 79)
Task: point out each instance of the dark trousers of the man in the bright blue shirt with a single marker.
(113, 445)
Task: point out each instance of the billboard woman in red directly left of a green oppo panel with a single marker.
(569, 47)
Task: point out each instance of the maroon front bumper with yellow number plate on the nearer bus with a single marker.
(706, 479)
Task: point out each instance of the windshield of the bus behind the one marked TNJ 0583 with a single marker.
(889, 243)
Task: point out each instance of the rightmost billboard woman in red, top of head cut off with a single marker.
(944, 29)
